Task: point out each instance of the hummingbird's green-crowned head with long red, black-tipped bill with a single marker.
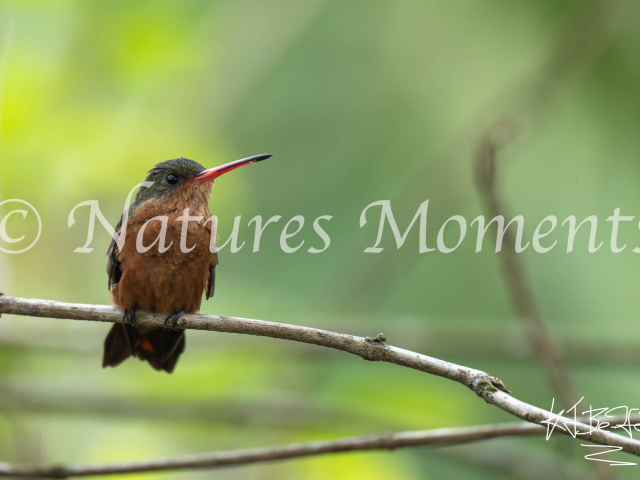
(185, 182)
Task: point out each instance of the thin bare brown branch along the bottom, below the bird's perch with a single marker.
(383, 441)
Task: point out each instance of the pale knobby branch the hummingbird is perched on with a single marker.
(490, 388)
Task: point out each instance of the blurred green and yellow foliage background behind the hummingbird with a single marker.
(358, 101)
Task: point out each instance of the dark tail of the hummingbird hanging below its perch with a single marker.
(160, 347)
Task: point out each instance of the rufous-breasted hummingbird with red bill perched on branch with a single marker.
(171, 276)
